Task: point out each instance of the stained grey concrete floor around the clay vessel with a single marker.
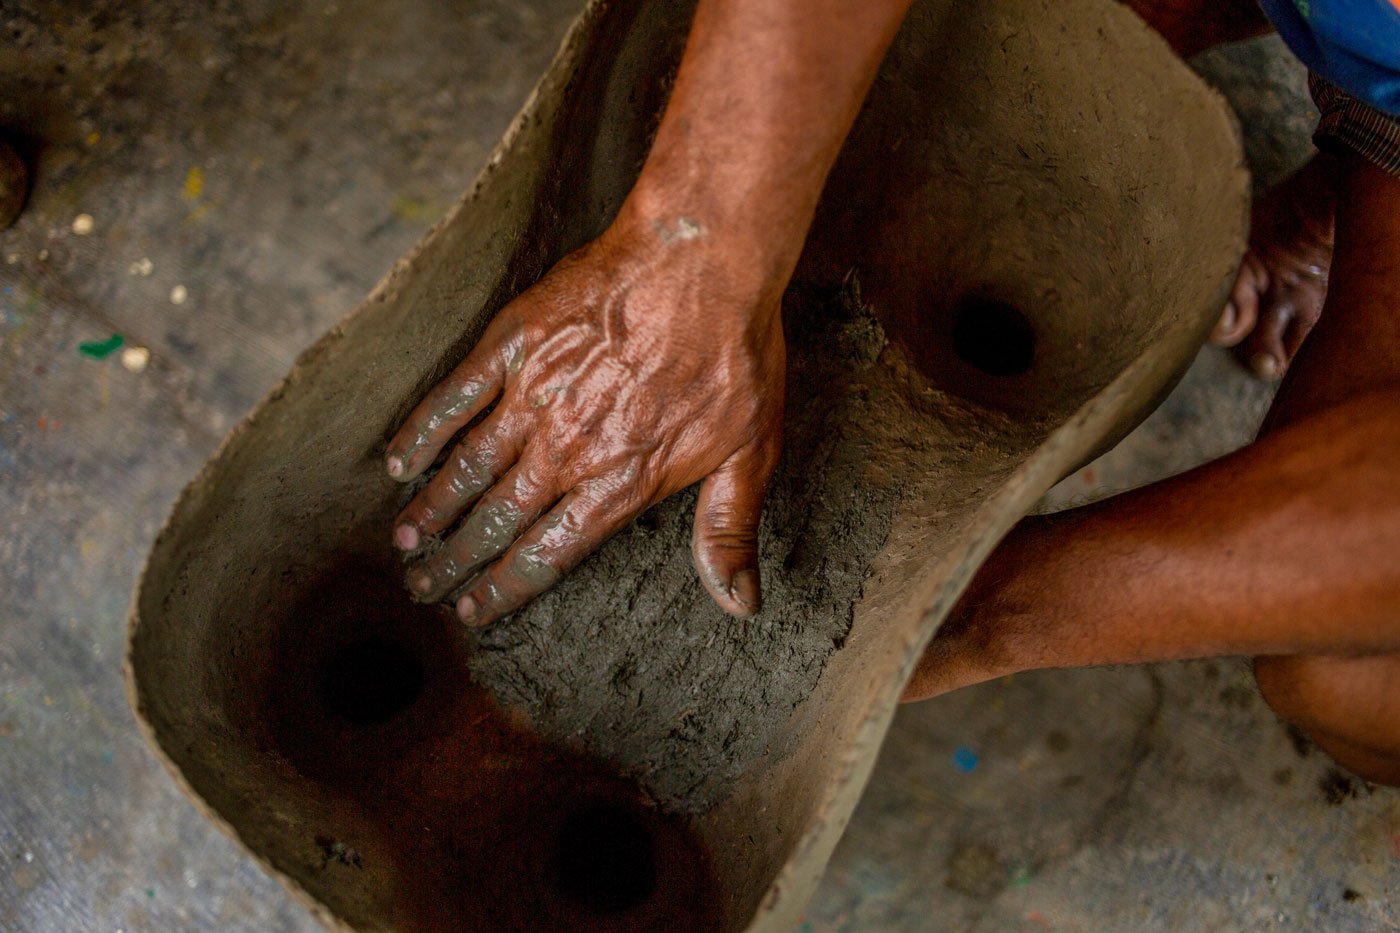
(251, 172)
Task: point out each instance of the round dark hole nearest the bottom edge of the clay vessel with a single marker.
(607, 859)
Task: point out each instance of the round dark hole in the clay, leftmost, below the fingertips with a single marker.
(370, 683)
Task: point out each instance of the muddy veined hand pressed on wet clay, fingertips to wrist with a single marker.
(639, 366)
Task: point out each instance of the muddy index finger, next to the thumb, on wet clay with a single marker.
(554, 547)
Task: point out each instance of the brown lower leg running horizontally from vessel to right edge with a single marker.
(1186, 568)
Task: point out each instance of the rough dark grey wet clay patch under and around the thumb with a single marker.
(643, 669)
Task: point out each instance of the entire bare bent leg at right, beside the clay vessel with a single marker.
(1305, 572)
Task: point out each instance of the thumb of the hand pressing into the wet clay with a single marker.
(726, 540)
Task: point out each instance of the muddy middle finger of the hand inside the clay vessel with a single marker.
(498, 520)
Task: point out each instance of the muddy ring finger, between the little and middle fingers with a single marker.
(482, 459)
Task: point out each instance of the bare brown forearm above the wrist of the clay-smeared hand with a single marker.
(765, 97)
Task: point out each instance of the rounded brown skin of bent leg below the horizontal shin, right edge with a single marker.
(1349, 707)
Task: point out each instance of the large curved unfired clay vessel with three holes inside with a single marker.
(1030, 232)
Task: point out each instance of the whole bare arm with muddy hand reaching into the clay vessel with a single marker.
(652, 359)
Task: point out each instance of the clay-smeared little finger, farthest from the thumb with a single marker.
(450, 407)
